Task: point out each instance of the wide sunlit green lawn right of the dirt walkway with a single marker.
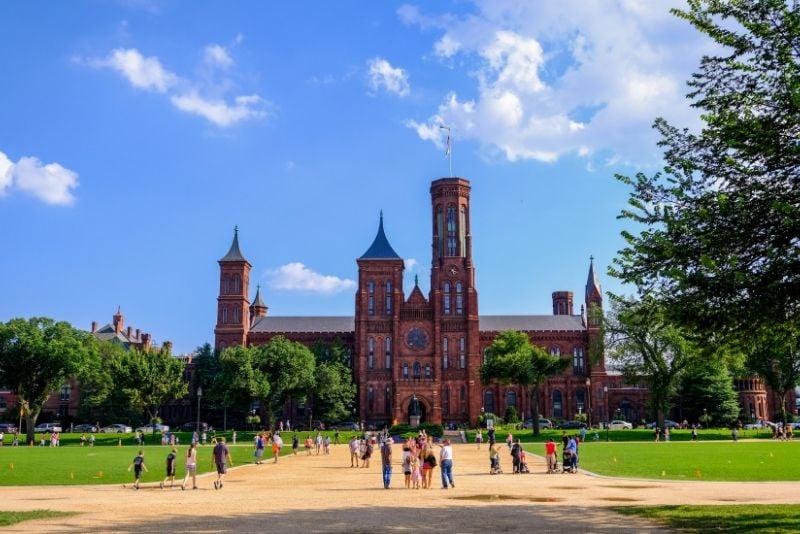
(742, 461)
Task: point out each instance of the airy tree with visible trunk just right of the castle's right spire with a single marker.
(648, 348)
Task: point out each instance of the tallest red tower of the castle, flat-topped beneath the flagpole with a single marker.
(454, 300)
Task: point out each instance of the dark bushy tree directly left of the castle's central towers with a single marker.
(334, 391)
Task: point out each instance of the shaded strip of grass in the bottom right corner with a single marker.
(738, 518)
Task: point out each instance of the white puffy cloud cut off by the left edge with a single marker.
(51, 183)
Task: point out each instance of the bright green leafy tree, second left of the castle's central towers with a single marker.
(289, 369)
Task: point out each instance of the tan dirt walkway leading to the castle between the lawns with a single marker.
(324, 494)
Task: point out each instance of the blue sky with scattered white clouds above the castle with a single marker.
(135, 134)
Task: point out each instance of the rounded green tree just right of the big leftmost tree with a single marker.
(149, 379)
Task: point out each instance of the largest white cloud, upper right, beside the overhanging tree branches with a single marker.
(559, 77)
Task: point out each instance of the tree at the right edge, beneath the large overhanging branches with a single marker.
(776, 358)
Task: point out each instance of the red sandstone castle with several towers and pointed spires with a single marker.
(430, 348)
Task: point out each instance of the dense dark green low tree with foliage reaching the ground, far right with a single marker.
(706, 388)
